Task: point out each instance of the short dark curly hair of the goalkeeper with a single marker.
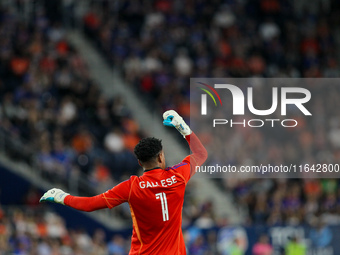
(148, 148)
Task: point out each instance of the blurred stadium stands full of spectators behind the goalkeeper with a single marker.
(65, 122)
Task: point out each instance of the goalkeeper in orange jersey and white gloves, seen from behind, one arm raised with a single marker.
(155, 198)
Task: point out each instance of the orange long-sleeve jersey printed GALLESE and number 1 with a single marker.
(156, 201)
